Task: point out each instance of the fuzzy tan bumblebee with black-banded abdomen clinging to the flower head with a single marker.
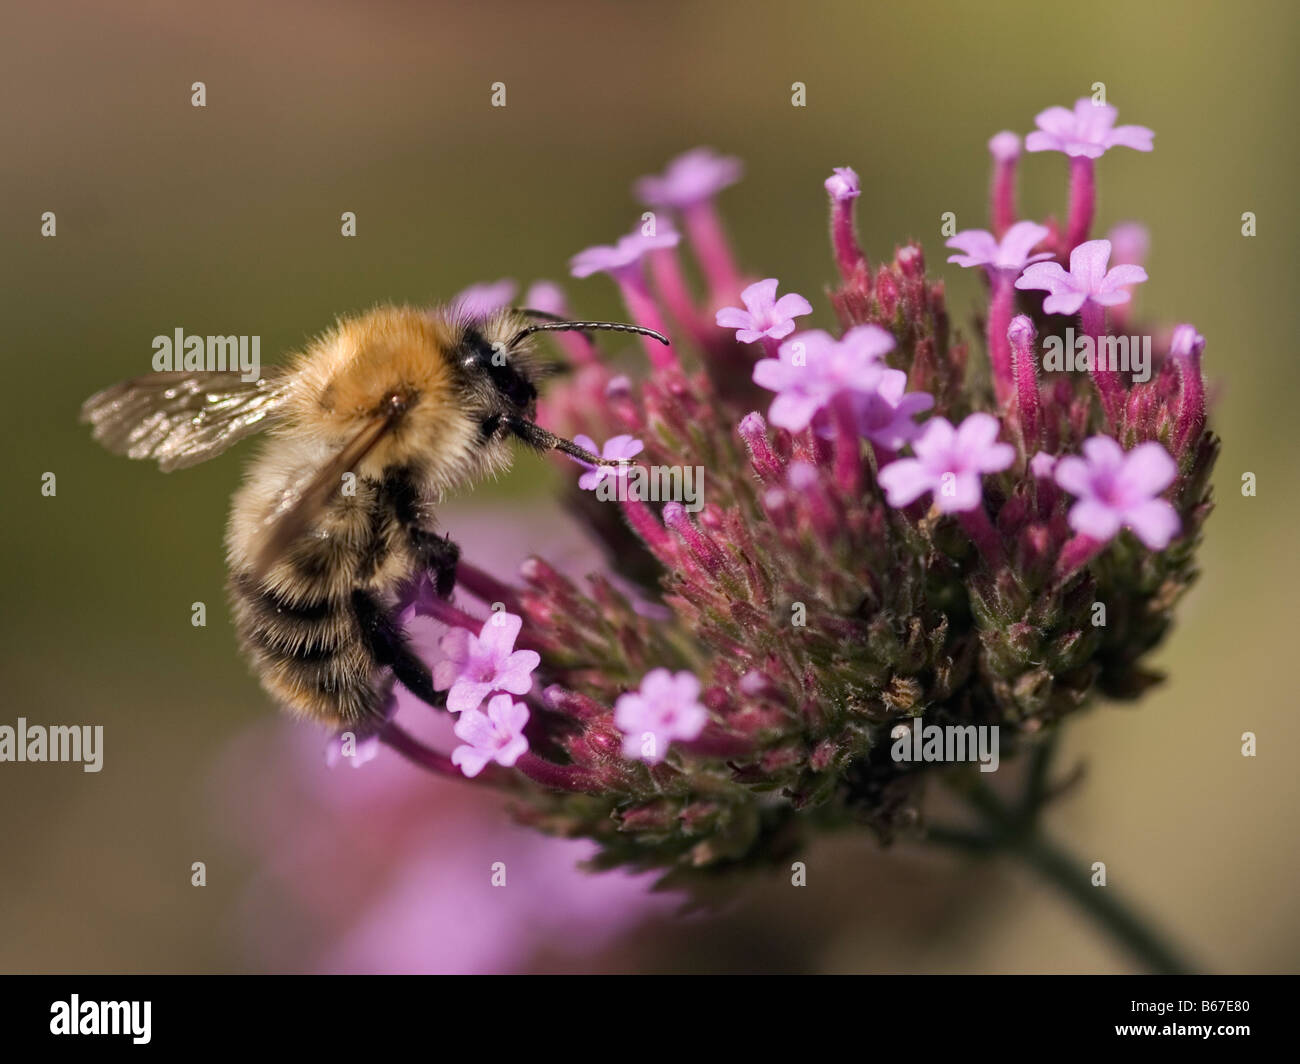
(370, 429)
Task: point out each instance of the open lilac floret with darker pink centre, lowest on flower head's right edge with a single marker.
(1117, 490)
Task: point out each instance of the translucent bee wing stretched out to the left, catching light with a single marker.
(184, 418)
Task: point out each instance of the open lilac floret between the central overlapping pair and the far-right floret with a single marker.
(948, 464)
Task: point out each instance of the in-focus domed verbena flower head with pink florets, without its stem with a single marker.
(889, 529)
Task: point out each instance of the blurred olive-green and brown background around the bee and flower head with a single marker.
(227, 220)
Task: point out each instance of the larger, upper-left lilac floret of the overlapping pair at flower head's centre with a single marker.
(812, 369)
